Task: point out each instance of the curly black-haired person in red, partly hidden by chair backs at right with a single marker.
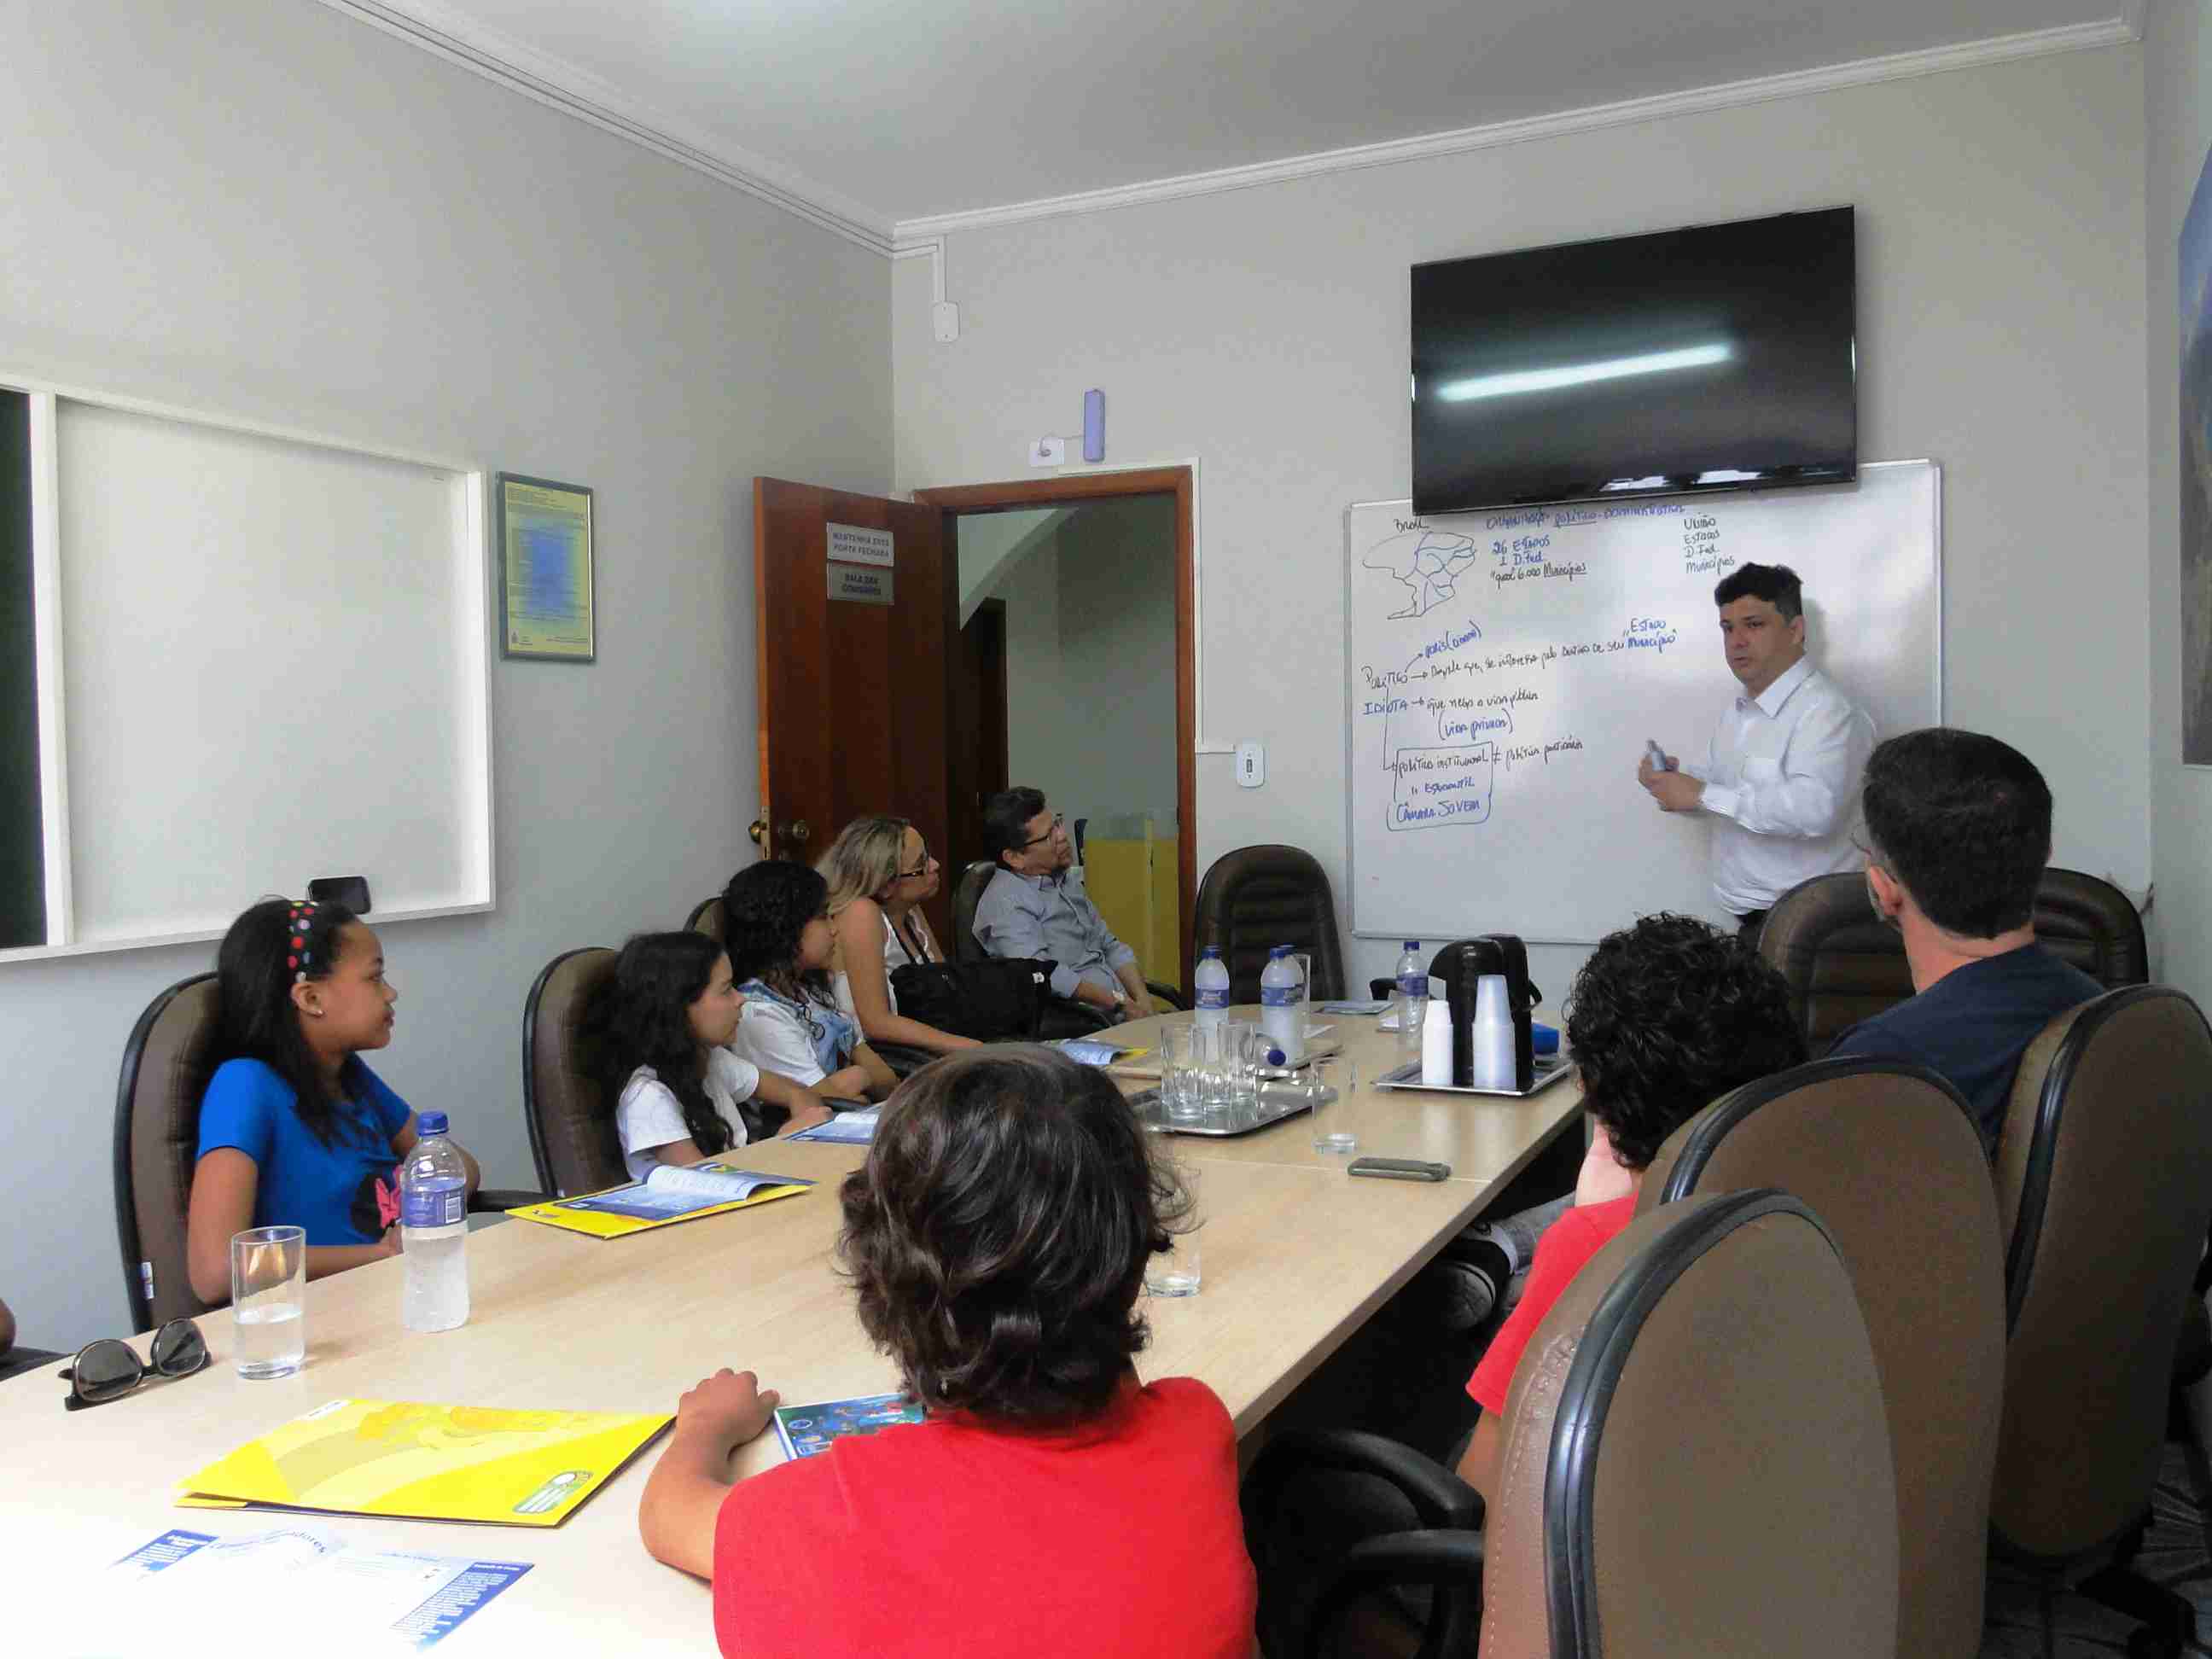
(1665, 1019)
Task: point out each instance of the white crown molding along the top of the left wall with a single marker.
(521, 70)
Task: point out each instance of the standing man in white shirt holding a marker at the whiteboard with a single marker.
(1786, 758)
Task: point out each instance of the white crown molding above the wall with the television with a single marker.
(1864, 72)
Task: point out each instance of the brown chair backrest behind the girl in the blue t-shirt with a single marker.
(158, 1145)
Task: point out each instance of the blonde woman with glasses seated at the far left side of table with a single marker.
(879, 875)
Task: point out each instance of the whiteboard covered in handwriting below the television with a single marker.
(1505, 671)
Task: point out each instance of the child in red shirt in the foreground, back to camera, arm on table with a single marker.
(1050, 1503)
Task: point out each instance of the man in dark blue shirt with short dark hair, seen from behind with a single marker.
(1959, 833)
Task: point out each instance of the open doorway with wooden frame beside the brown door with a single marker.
(1074, 676)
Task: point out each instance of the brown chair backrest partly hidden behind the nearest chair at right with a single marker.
(1890, 1158)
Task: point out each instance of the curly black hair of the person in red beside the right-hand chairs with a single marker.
(1669, 1016)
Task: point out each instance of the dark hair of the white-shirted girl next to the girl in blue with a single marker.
(643, 1019)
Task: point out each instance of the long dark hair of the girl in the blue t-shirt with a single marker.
(264, 954)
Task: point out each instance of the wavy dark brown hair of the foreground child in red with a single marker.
(999, 1235)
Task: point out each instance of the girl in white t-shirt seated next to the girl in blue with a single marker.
(662, 1027)
